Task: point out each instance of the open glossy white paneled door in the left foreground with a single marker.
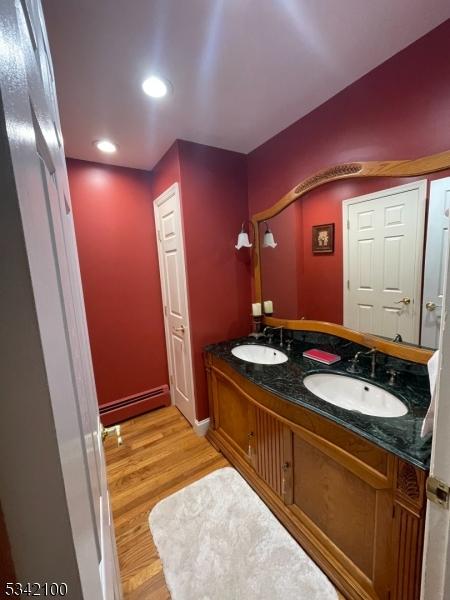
(37, 157)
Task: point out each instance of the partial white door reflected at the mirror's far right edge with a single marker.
(435, 261)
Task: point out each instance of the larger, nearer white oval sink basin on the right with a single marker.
(354, 394)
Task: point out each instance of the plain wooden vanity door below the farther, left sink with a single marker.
(231, 415)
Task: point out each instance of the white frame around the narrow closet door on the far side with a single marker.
(174, 190)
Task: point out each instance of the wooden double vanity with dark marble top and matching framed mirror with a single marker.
(335, 450)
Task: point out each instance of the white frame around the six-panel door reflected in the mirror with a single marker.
(421, 186)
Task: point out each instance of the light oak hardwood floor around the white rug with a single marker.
(160, 454)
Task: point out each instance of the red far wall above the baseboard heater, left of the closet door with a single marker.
(115, 232)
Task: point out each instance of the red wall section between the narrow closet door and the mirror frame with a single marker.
(213, 188)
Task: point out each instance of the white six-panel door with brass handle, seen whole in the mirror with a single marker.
(383, 248)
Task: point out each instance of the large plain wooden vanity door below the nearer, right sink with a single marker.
(348, 507)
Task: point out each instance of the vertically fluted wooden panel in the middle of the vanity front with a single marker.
(271, 452)
